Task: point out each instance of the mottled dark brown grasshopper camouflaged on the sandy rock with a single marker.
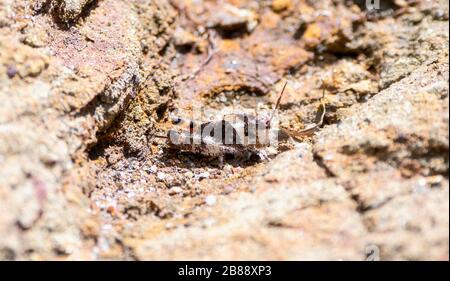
(239, 135)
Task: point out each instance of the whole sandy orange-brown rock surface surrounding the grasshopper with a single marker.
(87, 86)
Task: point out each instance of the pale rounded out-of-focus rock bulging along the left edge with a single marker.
(60, 86)
